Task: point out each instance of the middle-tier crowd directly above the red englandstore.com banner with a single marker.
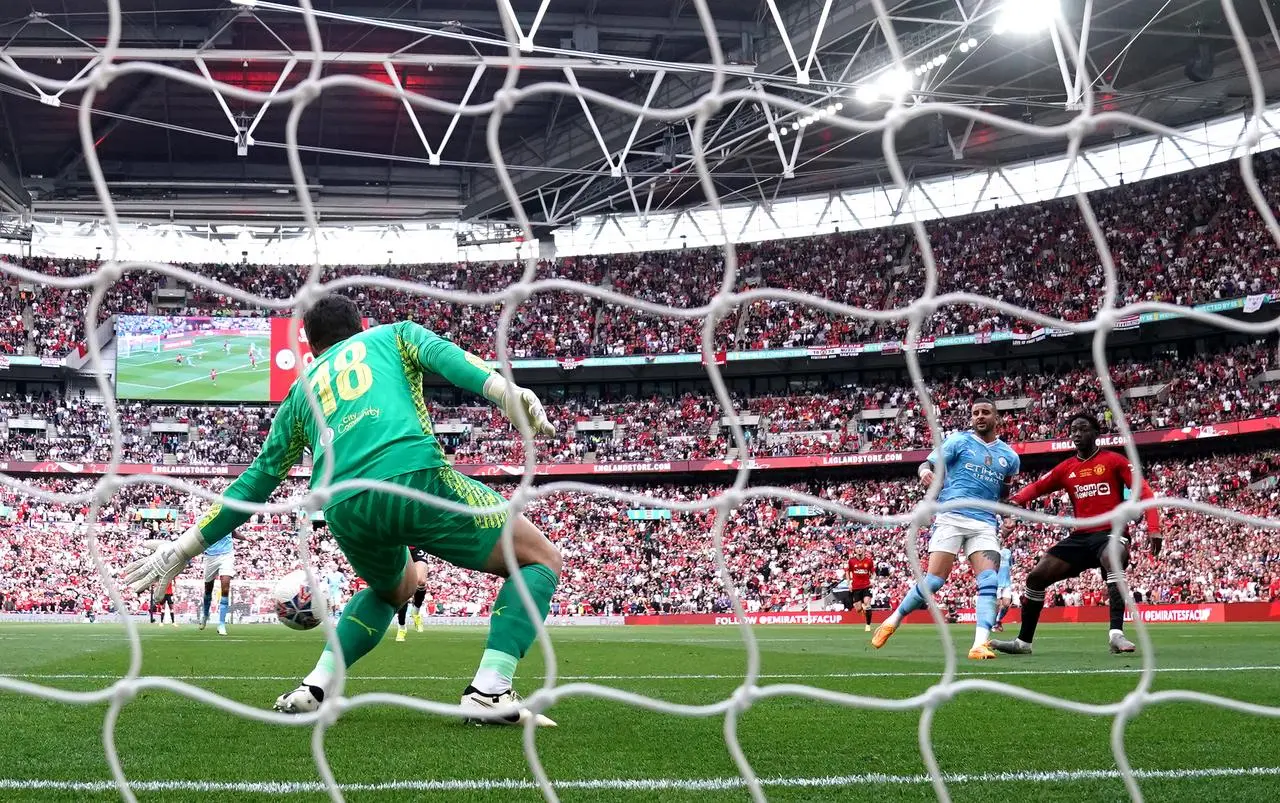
(1167, 393)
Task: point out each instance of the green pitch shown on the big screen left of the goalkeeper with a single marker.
(147, 375)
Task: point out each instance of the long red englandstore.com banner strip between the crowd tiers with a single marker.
(669, 467)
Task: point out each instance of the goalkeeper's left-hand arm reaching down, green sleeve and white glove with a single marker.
(282, 449)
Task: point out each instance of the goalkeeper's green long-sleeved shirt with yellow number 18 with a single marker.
(376, 423)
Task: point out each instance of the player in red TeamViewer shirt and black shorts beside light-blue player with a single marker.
(1095, 480)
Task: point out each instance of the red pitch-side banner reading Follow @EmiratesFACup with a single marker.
(1151, 614)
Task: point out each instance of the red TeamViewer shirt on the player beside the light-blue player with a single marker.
(1096, 487)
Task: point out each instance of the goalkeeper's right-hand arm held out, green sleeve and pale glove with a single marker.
(469, 372)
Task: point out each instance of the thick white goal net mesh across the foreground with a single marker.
(898, 115)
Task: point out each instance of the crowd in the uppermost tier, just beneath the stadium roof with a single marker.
(1186, 239)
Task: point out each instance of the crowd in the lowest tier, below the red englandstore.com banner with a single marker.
(616, 565)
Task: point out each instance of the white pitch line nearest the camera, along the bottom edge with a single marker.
(641, 784)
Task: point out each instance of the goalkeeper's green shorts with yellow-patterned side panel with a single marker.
(376, 528)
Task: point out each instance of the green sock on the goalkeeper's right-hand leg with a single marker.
(513, 629)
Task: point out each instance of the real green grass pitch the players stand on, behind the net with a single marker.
(808, 751)
